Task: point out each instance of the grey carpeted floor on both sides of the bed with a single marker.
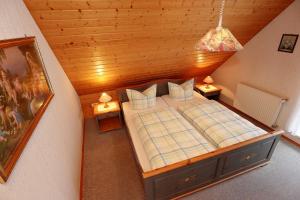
(110, 173)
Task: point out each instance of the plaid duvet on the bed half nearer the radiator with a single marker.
(221, 126)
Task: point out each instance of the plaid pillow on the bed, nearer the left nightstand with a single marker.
(142, 100)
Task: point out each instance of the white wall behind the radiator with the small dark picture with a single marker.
(261, 65)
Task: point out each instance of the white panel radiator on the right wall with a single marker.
(260, 105)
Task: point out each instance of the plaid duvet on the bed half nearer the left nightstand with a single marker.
(168, 138)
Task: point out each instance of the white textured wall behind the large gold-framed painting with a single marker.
(49, 167)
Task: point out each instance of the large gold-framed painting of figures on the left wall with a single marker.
(25, 93)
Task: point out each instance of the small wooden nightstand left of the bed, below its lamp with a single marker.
(109, 118)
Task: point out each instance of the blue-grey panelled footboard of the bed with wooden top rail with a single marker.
(205, 170)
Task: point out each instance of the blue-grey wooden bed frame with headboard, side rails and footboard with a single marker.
(188, 176)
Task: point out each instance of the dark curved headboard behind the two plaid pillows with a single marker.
(162, 88)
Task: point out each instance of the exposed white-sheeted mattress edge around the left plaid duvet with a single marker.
(129, 114)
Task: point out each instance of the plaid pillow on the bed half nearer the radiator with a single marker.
(183, 91)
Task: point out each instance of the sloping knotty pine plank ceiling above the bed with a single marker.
(105, 44)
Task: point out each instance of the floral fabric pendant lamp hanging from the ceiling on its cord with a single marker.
(219, 38)
